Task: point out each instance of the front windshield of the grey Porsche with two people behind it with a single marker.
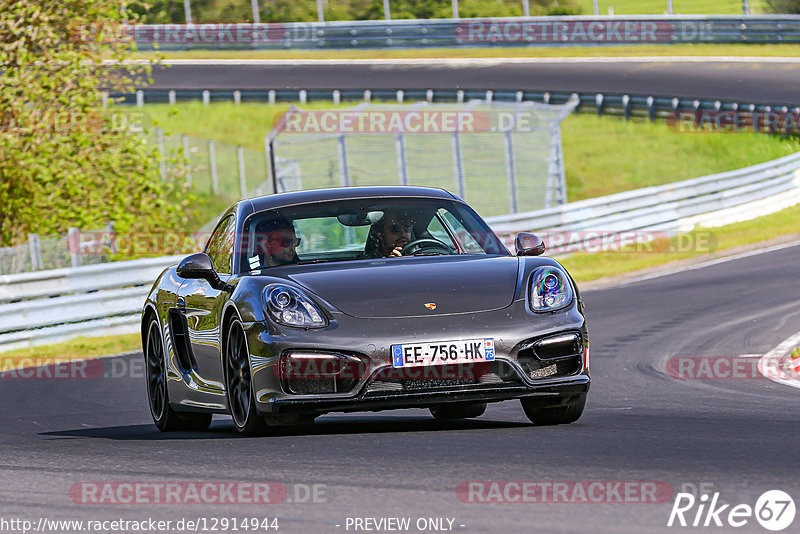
(364, 229)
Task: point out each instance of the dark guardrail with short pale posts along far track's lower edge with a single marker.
(630, 106)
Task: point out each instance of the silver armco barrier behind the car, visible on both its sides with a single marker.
(48, 306)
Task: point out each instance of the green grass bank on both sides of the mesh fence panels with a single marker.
(602, 155)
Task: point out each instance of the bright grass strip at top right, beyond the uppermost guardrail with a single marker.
(682, 7)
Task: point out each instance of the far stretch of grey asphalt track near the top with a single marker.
(756, 81)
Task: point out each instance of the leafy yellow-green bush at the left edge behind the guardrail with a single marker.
(64, 160)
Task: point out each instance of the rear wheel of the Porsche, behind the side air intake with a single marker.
(165, 418)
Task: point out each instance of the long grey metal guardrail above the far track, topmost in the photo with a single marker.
(516, 31)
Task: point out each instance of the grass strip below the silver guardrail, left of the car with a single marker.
(75, 349)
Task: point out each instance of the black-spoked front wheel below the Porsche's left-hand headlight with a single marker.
(238, 382)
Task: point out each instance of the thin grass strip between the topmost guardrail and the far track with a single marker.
(752, 50)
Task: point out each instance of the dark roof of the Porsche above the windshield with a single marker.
(280, 200)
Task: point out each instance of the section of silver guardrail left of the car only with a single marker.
(50, 306)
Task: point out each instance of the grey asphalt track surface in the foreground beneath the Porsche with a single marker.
(739, 437)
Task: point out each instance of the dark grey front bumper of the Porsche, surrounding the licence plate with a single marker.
(513, 329)
